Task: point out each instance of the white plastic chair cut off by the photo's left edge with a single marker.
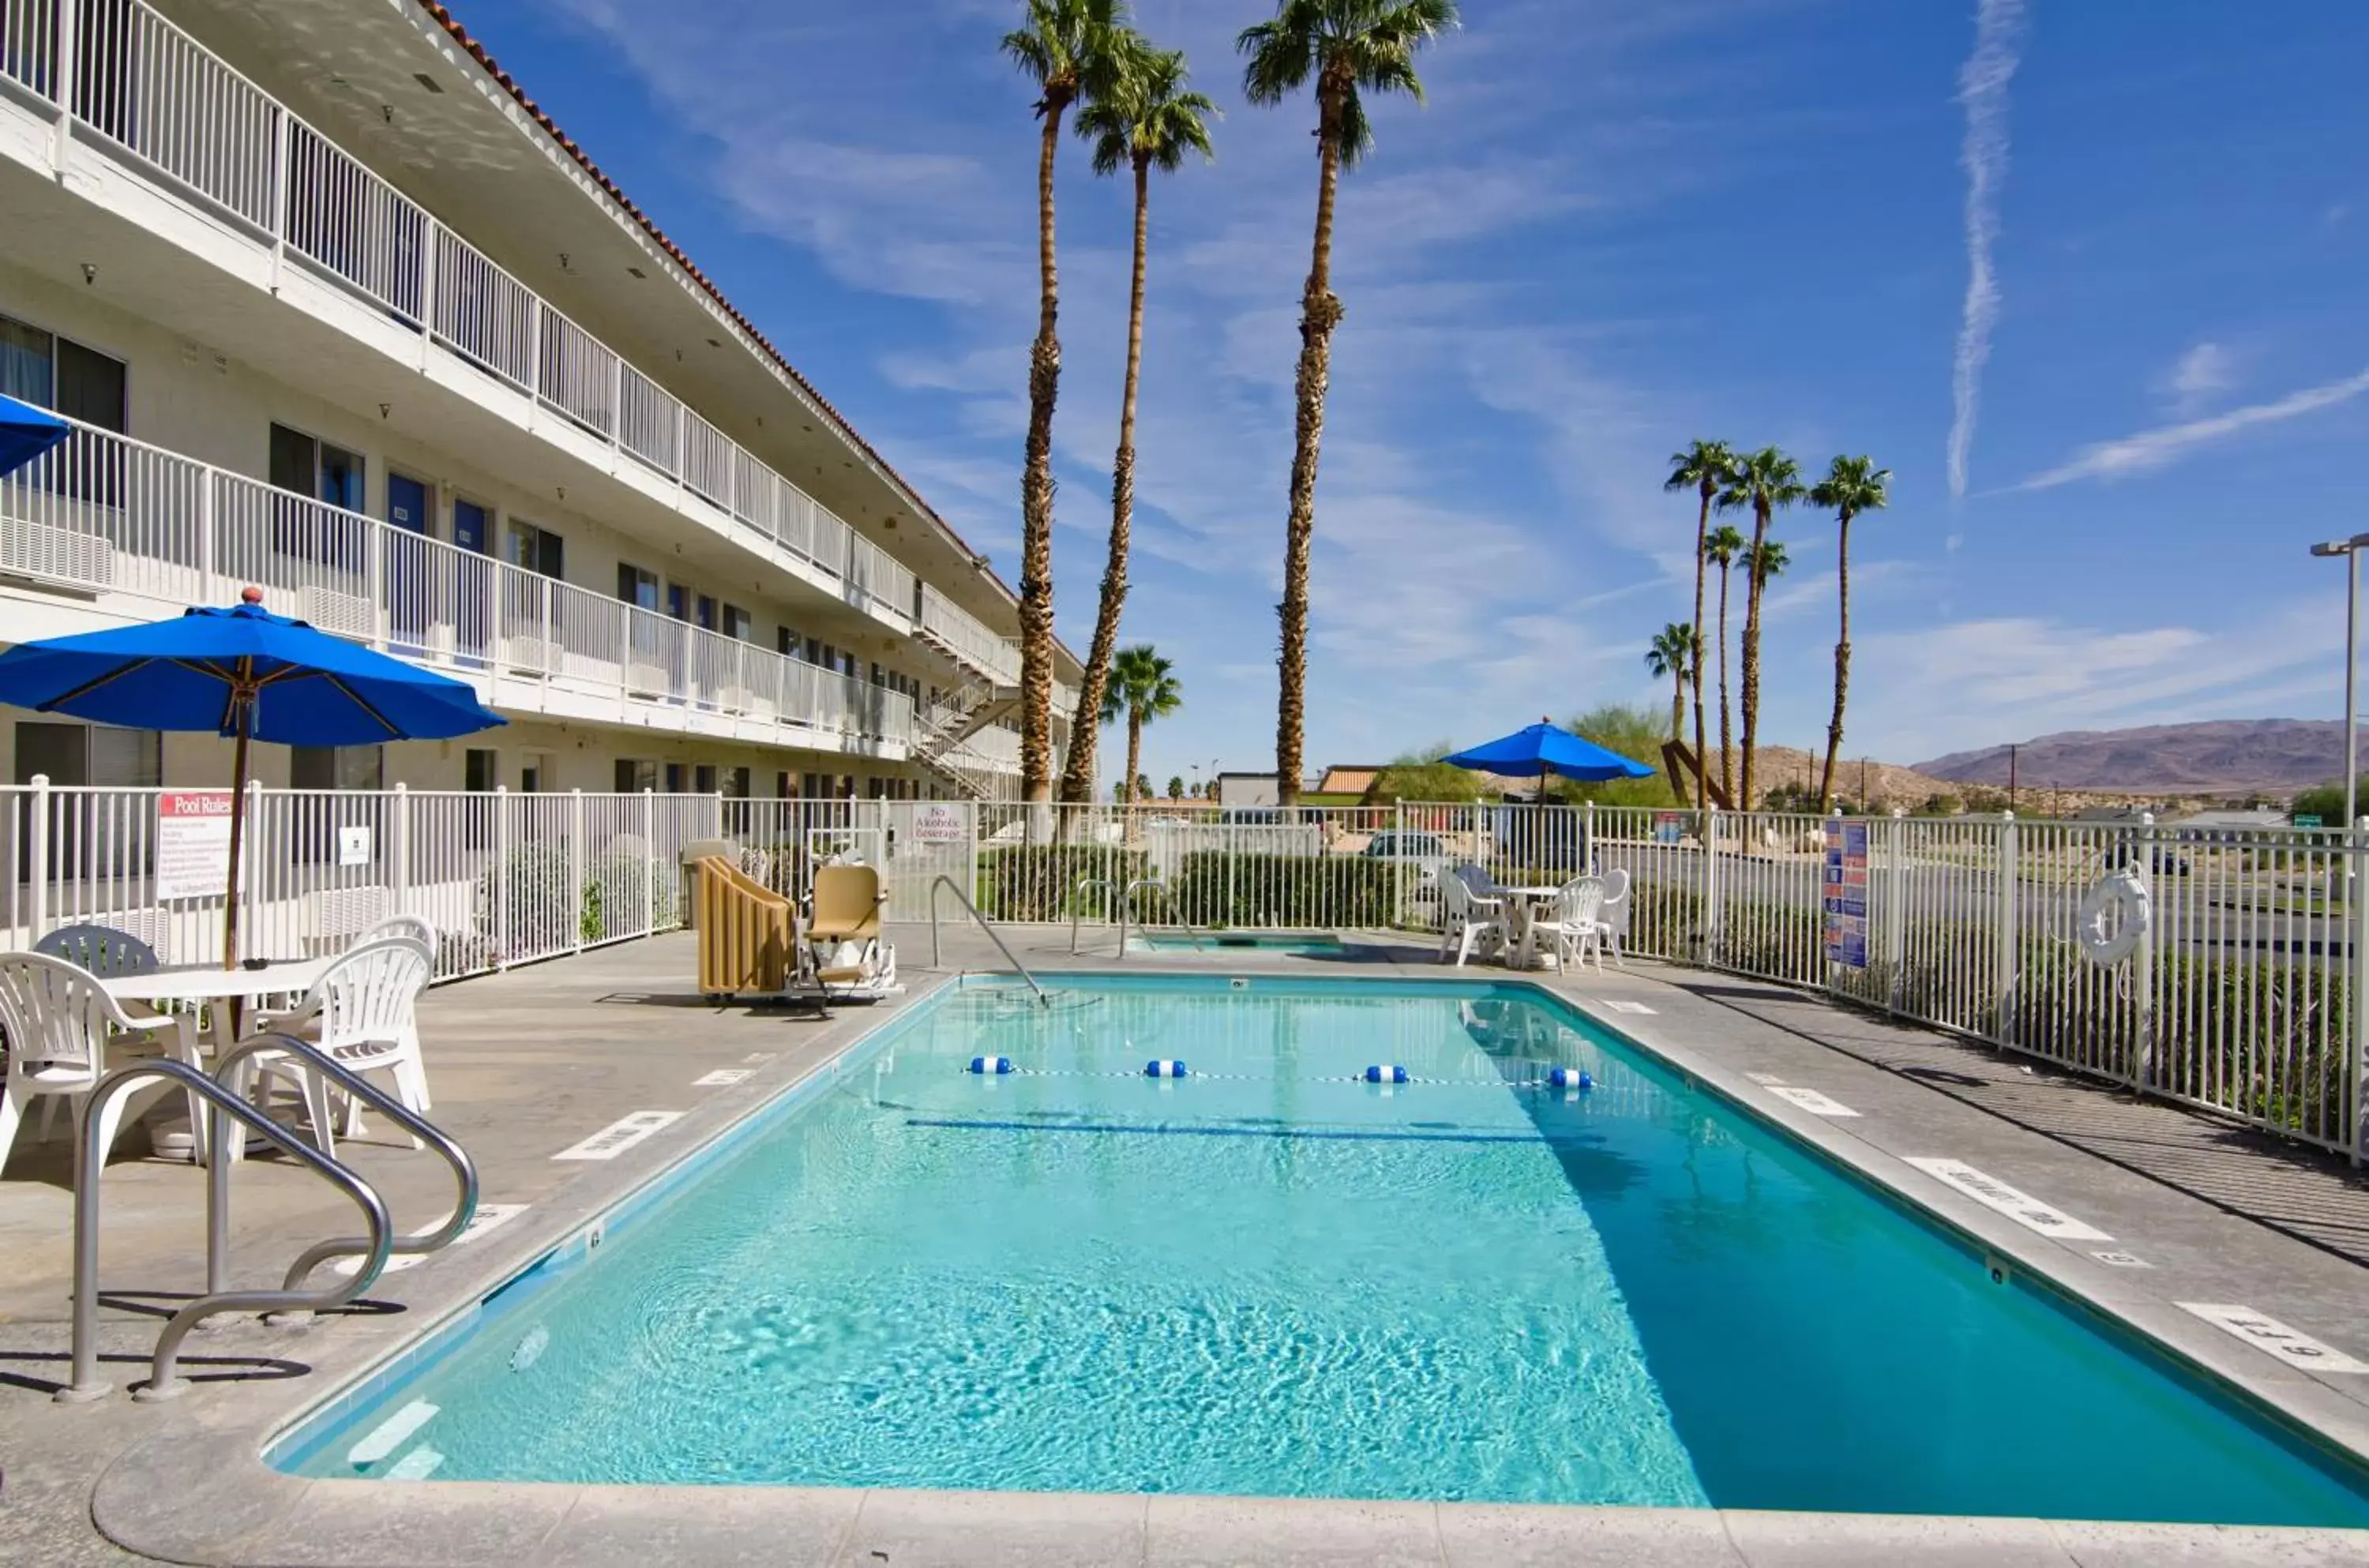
(58, 1022)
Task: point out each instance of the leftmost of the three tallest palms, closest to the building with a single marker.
(1065, 49)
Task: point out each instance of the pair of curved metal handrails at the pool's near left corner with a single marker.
(231, 1107)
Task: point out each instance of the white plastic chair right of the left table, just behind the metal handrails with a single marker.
(361, 1017)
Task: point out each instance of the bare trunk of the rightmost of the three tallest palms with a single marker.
(1318, 319)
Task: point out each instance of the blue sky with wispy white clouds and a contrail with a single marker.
(1614, 229)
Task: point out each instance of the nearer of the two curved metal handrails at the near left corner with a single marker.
(91, 1157)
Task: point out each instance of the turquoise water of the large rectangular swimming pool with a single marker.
(1276, 1280)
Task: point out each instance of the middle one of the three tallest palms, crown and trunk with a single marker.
(1143, 120)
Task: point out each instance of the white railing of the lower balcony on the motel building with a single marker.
(108, 515)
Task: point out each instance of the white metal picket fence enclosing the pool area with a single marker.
(2245, 998)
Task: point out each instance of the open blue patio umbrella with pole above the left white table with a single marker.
(245, 674)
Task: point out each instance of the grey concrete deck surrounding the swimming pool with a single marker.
(539, 1060)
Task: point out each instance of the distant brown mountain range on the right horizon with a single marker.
(2219, 757)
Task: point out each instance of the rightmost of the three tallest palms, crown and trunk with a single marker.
(1347, 49)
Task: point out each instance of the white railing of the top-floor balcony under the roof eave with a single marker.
(150, 91)
